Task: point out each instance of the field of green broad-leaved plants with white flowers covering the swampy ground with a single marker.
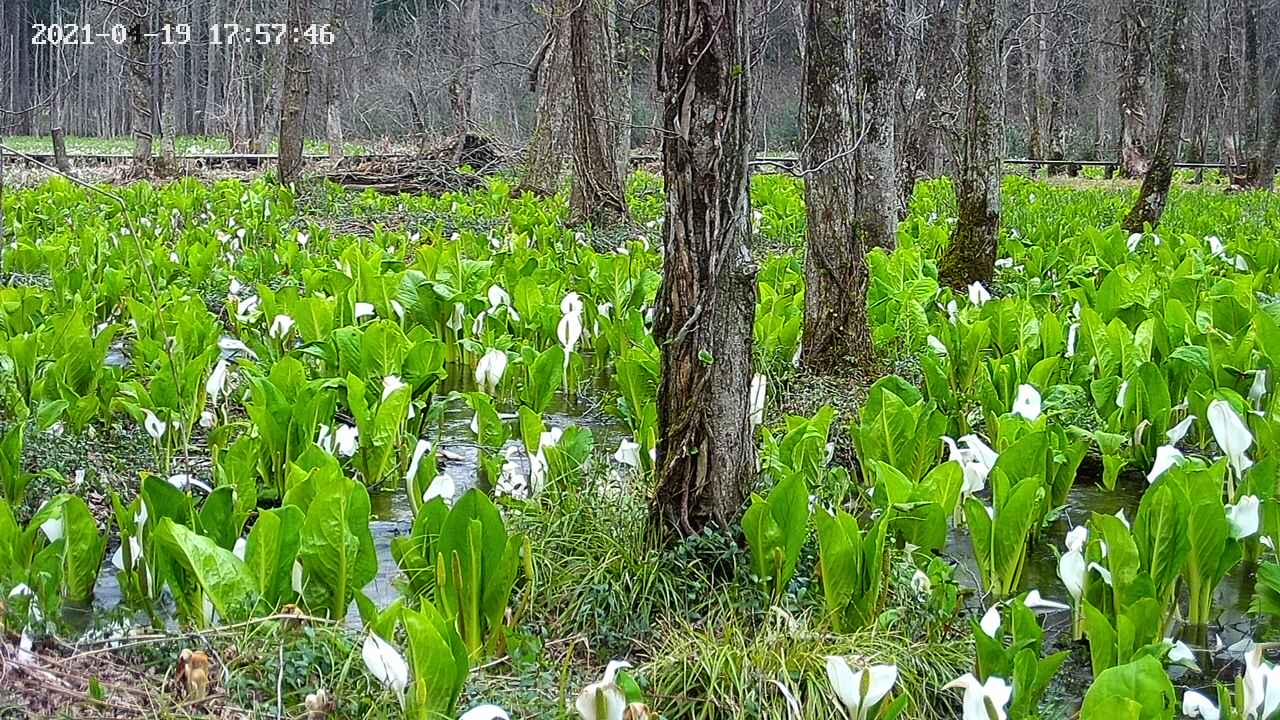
(255, 372)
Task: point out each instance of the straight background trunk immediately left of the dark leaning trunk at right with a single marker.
(1136, 39)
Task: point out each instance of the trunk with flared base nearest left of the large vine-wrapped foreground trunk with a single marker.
(598, 193)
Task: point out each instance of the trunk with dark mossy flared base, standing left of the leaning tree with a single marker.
(972, 254)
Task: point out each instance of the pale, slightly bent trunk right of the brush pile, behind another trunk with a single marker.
(552, 136)
